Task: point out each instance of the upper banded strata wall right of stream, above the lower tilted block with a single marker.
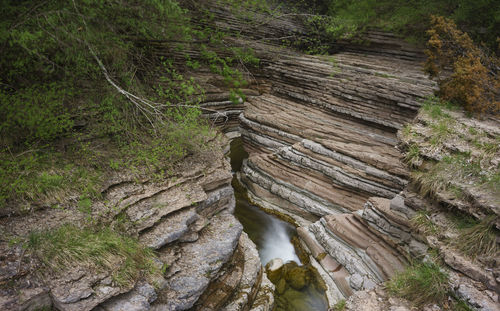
(322, 137)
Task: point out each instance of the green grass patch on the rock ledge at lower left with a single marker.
(63, 247)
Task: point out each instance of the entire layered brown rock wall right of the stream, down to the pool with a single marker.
(322, 143)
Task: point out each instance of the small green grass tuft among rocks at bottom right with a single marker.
(421, 283)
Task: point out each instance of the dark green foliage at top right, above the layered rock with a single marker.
(412, 18)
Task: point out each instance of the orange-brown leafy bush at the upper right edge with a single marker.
(474, 82)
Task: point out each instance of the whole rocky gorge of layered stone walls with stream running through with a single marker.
(321, 158)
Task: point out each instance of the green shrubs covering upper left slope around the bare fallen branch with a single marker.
(53, 93)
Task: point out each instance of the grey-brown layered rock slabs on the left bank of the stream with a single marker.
(187, 219)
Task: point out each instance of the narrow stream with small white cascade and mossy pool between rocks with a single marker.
(273, 236)
